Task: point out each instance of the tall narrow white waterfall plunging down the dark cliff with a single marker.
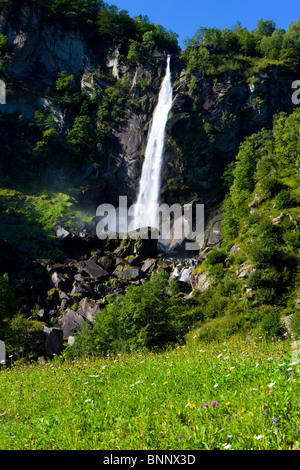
(146, 207)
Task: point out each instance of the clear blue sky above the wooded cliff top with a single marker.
(185, 17)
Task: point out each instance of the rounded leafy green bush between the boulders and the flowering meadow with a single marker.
(145, 317)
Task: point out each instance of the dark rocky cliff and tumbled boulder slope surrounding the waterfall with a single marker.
(210, 117)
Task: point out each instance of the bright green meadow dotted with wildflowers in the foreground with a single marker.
(235, 395)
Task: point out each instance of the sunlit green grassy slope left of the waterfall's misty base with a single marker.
(28, 215)
